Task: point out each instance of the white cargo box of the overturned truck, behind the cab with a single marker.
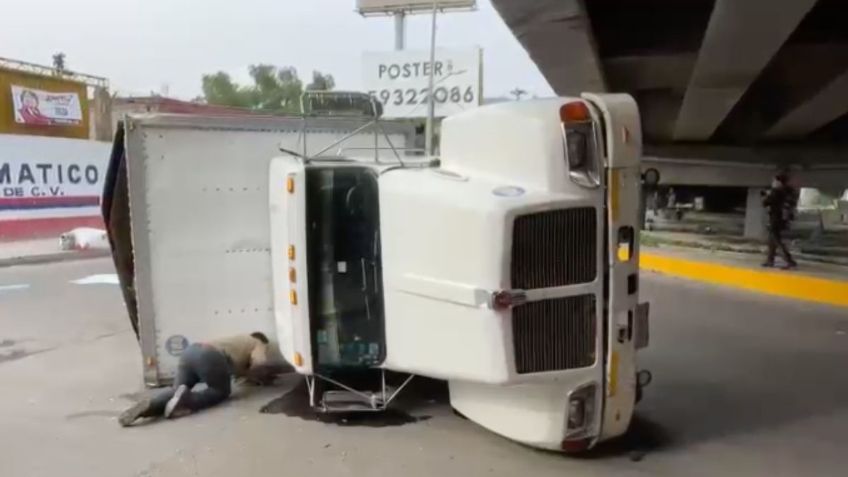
(196, 256)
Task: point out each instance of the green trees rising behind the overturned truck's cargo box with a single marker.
(274, 90)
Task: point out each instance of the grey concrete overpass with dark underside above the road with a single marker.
(729, 90)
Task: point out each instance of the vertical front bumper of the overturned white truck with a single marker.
(623, 144)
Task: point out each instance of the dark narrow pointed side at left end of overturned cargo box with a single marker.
(116, 215)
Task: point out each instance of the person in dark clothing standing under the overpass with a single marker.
(780, 203)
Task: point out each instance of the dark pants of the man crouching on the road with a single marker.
(198, 364)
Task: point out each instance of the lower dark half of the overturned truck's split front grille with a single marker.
(554, 334)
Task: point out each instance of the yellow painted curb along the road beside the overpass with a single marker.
(786, 284)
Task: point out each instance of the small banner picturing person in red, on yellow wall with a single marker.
(46, 108)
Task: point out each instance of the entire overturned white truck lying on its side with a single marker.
(508, 266)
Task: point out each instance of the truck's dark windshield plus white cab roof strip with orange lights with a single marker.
(327, 274)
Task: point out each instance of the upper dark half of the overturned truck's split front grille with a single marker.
(554, 248)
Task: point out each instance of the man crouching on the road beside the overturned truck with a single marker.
(213, 363)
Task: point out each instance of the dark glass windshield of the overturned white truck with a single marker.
(344, 267)
